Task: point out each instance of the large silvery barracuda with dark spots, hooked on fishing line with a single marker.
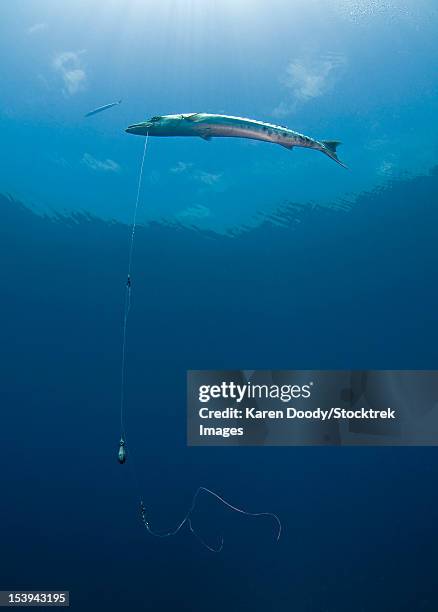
(208, 126)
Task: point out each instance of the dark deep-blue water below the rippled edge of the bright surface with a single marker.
(309, 288)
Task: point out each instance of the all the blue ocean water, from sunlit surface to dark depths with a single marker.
(247, 256)
